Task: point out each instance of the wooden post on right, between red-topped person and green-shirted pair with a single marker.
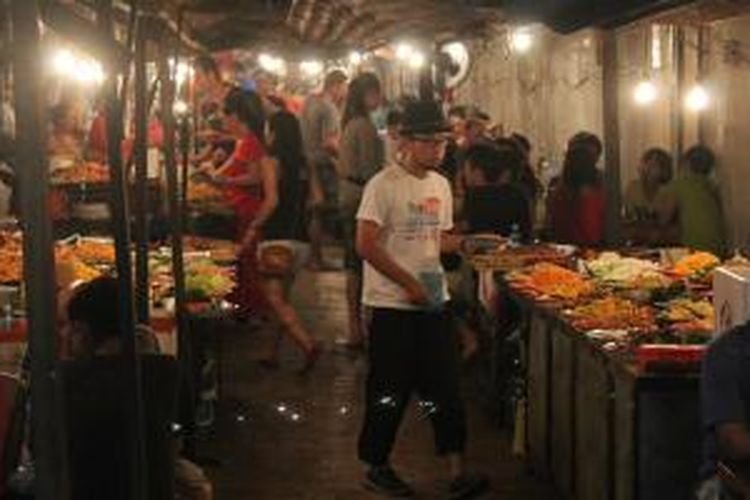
(610, 108)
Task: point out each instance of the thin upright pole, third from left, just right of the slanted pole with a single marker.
(141, 175)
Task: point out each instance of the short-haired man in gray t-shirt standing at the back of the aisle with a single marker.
(321, 130)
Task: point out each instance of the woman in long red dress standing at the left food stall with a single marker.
(245, 178)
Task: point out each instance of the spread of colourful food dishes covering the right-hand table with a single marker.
(650, 308)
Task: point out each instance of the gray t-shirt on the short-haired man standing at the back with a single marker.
(320, 119)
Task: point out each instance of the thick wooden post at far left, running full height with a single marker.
(38, 253)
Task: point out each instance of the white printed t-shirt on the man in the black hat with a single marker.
(412, 212)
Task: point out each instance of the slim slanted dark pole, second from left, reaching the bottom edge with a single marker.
(121, 230)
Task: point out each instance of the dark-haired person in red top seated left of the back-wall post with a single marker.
(575, 208)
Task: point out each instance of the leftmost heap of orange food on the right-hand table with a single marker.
(550, 280)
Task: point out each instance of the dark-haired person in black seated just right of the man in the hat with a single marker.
(494, 204)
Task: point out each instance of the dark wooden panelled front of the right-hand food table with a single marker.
(597, 424)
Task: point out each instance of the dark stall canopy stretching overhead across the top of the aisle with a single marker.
(330, 27)
